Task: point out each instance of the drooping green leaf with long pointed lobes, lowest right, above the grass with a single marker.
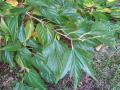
(78, 60)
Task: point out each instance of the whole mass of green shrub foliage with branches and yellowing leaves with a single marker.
(50, 38)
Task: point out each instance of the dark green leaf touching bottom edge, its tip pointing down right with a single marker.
(33, 79)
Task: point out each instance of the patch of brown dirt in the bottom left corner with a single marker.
(8, 77)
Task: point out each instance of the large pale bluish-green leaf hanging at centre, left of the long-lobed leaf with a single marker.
(54, 55)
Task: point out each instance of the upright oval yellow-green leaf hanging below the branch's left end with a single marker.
(29, 28)
